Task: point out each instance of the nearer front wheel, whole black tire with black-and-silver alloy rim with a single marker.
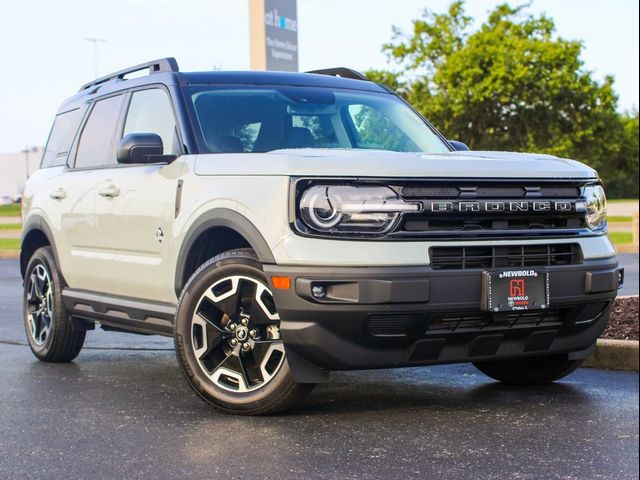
(225, 306)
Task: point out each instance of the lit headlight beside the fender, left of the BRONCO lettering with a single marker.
(349, 209)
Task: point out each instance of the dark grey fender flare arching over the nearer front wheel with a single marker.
(220, 217)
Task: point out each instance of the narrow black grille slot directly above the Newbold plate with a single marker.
(459, 258)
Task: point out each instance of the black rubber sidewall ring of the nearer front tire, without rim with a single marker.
(203, 279)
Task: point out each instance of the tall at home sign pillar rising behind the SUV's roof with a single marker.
(273, 27)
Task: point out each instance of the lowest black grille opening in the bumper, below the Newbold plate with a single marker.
(477, 322)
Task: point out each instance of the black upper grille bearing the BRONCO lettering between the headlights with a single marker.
(495, 214)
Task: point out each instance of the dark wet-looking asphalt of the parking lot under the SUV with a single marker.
(122, 410)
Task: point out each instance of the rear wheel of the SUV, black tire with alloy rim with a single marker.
(46, 320)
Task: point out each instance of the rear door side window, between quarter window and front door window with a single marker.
(96, 145)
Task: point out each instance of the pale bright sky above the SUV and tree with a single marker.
(45, 57)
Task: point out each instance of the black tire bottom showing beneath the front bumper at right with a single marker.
(530, 371)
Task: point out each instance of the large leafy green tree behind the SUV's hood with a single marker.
(512, 84)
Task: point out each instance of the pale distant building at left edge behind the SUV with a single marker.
(15, 168)
